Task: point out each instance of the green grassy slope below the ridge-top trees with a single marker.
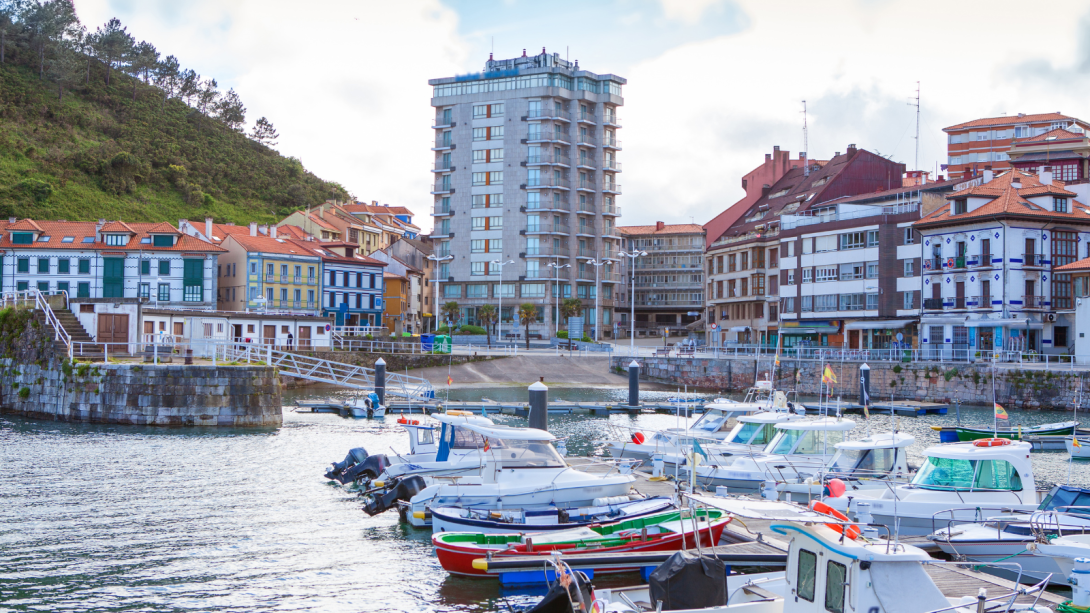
(98, 154)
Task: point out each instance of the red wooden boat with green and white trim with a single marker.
(664, 532)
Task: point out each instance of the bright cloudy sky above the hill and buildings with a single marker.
(713, 86)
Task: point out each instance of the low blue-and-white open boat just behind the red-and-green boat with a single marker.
(546, 520)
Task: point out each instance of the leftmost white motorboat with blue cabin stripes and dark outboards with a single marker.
(427, 453)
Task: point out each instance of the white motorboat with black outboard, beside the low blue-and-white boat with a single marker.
(522, 470)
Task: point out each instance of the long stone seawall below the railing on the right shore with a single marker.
(927, 382)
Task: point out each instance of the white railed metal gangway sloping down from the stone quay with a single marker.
(413, 389)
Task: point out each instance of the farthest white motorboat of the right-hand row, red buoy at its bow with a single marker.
(714, 426)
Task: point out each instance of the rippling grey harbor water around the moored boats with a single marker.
(127, 519)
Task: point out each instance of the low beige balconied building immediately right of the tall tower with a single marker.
(670, 281)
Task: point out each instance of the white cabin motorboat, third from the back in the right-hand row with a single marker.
(801, 448)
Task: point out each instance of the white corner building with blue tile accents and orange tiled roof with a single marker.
(988, 265)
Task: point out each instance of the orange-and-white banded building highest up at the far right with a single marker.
(975, 145)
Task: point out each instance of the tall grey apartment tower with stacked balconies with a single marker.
(527, 171)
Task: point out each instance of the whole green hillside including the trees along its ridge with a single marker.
(74, 148)
